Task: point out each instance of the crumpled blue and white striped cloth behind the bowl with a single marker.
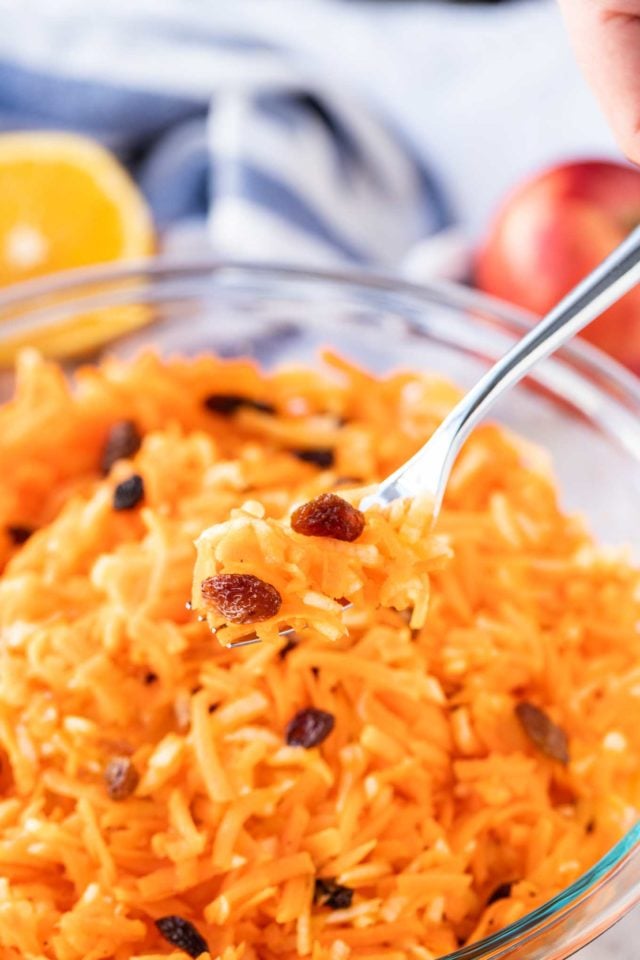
(223, 131)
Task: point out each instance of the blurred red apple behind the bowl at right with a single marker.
(552, 231)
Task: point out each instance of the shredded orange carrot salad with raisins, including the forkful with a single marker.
(447, 739)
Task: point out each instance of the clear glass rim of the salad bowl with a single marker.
(25, 306)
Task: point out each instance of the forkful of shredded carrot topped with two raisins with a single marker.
(302, 571)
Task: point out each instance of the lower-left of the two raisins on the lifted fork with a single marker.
(241, 597)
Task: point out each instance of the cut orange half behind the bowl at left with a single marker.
(66, 202)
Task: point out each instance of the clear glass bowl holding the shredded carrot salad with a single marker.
(580, 405)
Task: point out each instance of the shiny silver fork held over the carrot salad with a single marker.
(428, 470)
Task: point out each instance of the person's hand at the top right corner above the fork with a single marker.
(606, 37)
